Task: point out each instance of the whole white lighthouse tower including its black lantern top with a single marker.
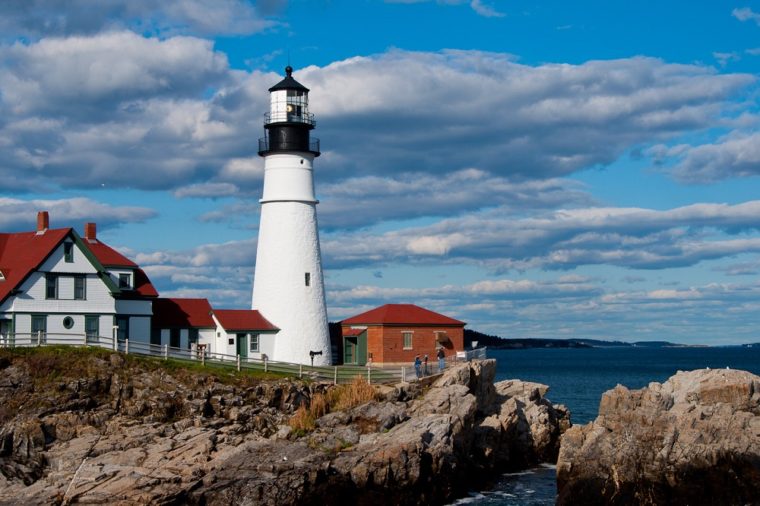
(288, 288)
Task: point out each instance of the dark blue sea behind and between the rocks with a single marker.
(577, 378)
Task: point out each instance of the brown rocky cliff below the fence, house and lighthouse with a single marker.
(92, 427)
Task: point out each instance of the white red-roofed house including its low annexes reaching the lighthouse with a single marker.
(57, 286)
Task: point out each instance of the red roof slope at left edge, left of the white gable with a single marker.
(22, 253)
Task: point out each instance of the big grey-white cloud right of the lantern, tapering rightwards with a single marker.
(436, 111)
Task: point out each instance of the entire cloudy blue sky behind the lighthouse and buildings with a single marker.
(537, 169)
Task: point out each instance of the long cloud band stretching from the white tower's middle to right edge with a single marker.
(565, 239)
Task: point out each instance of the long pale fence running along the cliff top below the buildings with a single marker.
(334, 374)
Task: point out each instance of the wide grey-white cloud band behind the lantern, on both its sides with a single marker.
(123, 110)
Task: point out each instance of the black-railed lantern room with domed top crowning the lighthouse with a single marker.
(288, 122)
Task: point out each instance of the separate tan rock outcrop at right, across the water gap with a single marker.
(694, 439)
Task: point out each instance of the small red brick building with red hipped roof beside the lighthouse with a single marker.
(395, 333)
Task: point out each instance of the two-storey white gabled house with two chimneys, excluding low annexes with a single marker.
(54, 282)
